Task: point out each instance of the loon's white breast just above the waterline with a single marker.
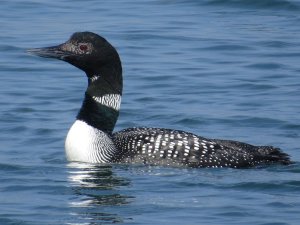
(85, 143)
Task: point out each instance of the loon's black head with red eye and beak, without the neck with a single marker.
(87, 51)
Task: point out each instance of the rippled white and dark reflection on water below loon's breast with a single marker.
(97, 190)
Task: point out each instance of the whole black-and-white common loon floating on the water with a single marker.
(91, 138)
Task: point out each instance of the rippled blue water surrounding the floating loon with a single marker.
(221, 69)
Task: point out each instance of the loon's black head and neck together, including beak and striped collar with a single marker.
(101, 63)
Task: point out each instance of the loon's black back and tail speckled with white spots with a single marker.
(156, 146)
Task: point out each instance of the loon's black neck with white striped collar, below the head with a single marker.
(100, 108)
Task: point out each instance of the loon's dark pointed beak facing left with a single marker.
(50, 52)
